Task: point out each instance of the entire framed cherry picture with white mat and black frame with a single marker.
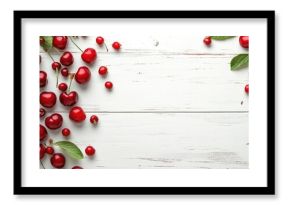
(144, 102)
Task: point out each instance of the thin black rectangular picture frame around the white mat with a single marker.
(268, 190)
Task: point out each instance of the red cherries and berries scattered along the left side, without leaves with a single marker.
(48, 99)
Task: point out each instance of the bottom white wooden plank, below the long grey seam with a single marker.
(161, 140)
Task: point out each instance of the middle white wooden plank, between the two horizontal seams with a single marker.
(157, 82)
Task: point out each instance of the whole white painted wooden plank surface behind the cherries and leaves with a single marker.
(175, 104)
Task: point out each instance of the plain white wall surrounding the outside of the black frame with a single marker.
(282, 98)
